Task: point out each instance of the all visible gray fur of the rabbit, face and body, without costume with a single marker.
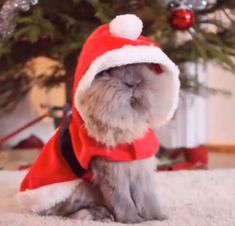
(119, 107)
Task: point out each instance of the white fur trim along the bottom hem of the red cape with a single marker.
(47, 196)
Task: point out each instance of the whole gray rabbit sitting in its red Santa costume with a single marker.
(121, 94)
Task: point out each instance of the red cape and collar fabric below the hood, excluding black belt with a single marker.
(51, 167)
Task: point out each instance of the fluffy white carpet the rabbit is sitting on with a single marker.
(190, 198)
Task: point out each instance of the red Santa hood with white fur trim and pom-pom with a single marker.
(120, 43)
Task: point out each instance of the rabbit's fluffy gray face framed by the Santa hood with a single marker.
(121, 104)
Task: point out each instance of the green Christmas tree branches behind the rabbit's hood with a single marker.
(41, 32)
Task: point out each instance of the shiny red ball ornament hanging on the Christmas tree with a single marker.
(182, 19)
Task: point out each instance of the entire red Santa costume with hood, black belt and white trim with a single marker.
(64, 161)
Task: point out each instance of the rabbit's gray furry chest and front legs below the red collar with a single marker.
(128, 189)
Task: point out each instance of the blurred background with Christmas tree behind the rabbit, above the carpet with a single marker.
(40, 42)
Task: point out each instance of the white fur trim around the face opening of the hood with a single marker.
(138, 54)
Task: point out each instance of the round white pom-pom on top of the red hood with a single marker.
(126, 26)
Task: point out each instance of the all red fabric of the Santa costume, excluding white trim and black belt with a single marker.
(50, 167)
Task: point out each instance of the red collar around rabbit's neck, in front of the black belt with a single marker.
(86, 147)
